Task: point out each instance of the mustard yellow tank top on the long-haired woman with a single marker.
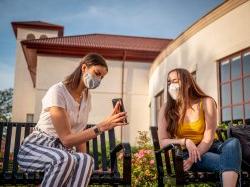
(193, 130)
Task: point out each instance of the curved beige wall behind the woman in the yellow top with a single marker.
(227, 35)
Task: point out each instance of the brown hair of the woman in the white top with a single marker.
(91, 59)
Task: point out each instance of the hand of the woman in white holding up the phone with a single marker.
(115, 119)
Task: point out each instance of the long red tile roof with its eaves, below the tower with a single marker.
(115, 47)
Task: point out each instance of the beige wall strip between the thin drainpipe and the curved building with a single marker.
(136, 99)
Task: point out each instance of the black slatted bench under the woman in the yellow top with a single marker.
(170, 171)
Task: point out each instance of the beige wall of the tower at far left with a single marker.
(24, 93)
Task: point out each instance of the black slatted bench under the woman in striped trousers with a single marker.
(105, 169)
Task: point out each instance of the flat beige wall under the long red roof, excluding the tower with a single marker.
(52, 69)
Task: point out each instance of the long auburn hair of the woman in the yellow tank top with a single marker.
(175, 111)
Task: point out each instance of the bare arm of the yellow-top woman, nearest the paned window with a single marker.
(209, 108)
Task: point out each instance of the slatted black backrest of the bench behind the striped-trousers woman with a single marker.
(12, 135)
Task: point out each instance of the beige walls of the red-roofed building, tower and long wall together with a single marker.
(52, 69)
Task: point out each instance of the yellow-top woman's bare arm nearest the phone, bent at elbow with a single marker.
(164, 136)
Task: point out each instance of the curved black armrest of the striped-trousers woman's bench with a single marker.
(126, 160)
